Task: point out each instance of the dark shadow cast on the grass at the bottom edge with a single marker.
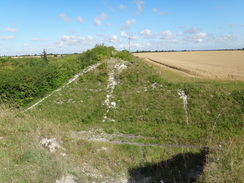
(181, 168)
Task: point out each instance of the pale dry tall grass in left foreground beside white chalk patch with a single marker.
(22, 157)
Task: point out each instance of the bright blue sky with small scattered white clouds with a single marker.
(73, 26)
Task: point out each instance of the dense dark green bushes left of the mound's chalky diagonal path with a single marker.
(28, 78)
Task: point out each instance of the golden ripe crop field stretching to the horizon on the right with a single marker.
(208, 64)
